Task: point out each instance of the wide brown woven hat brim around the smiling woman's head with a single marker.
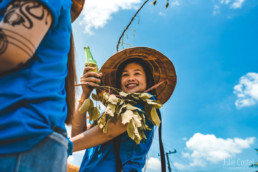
(161, 67)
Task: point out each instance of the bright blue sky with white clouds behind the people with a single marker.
(211, 119)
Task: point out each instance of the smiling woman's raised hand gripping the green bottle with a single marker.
(89, 80)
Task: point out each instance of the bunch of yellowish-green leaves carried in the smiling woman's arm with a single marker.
(124, 106)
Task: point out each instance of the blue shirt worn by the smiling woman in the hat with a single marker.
(132, 155)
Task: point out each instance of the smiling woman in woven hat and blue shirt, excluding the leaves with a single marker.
(133, 70)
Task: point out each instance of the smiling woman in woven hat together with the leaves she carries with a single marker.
(144, 75)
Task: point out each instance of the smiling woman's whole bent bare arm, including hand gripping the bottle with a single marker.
(94, 136)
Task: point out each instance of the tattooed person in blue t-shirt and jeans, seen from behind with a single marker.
(36, 83)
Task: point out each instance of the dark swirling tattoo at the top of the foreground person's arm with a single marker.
(22, 12)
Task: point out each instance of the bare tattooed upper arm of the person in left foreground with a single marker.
(24, 25)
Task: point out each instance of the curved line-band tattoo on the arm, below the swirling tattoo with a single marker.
(10, 37)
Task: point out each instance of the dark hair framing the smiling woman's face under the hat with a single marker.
(146, 67)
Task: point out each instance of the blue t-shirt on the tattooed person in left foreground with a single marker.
(33, 98)
